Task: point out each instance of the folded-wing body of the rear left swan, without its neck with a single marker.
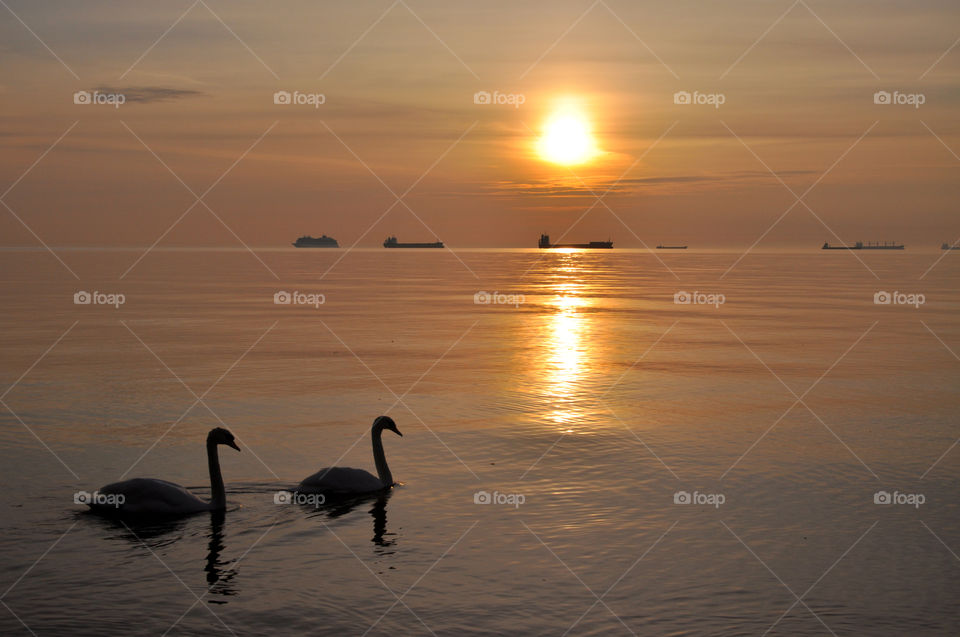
(149, 496)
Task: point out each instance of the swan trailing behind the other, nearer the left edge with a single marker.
(149, 496)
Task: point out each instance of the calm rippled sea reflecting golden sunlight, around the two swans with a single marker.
(589, 405)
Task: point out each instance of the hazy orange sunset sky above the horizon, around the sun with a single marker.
(797, 153)
